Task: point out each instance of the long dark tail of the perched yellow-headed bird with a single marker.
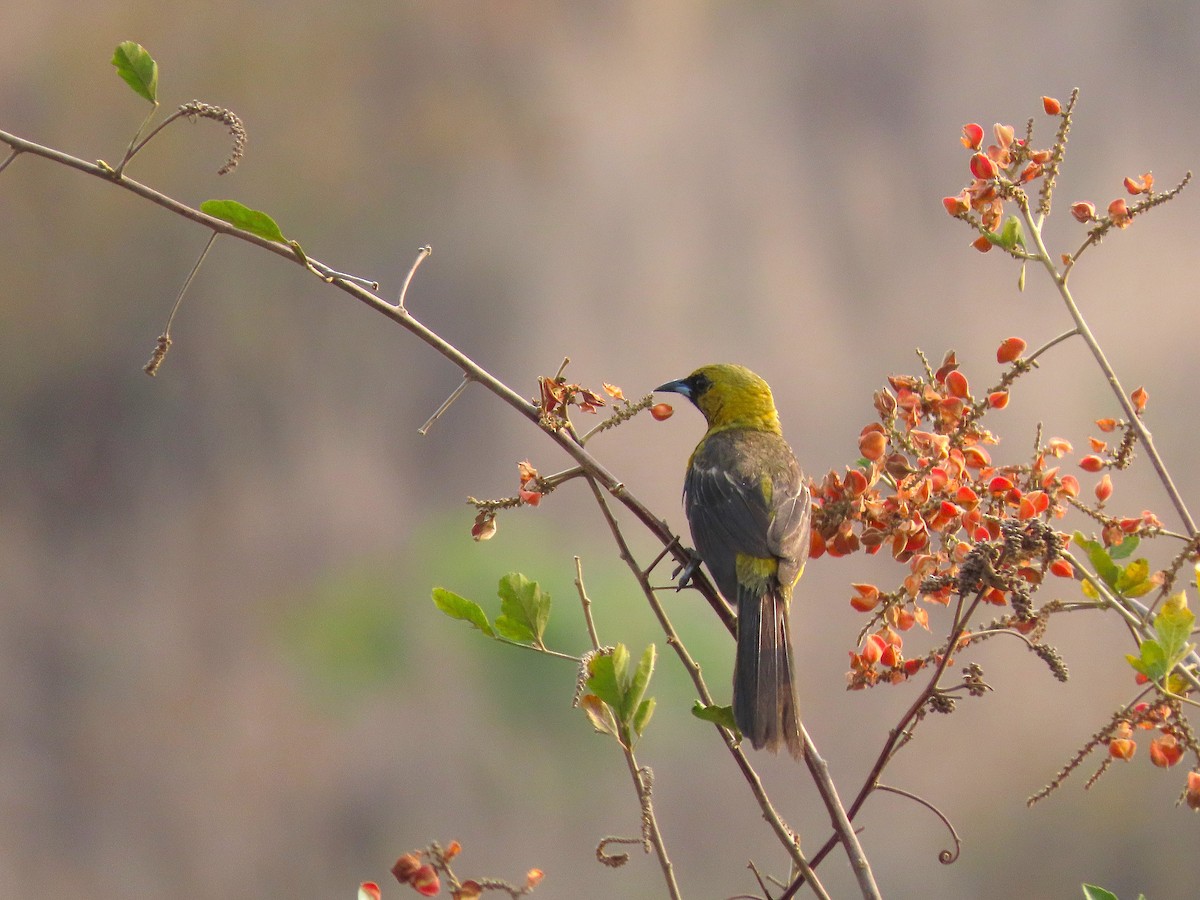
(764, 688)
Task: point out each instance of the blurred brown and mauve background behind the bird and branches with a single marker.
(223, 674)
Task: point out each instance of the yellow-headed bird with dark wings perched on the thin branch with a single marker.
(749, 511)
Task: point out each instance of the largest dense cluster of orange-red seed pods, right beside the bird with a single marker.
(929, 494)
